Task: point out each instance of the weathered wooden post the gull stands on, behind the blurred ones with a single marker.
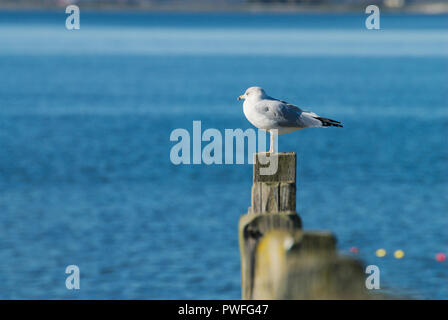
(273, 206)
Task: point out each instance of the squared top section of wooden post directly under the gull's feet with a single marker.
(286, 167)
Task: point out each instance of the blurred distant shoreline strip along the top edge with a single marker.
(412, 8)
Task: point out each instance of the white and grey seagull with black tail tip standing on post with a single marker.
(277, 116)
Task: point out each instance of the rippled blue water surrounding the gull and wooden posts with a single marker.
(85, 172)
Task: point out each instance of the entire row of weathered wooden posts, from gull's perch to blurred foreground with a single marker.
(278, 259)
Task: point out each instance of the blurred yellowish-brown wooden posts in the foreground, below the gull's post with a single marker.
(305, 265)
